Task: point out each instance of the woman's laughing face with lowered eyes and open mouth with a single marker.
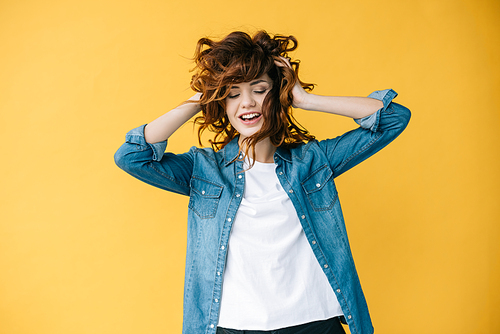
(244, 105)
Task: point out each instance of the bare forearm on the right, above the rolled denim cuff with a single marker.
(350, 106)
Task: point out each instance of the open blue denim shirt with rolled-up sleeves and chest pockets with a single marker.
(215, 181)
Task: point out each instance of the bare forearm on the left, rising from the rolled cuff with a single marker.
(164, 126)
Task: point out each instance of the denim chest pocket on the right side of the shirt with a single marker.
(320, 189)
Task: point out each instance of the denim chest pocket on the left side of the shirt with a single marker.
(204, 197)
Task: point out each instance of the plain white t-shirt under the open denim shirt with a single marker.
(272, 278)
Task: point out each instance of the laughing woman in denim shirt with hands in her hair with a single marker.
(267, 246)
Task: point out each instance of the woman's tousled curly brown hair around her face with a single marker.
(241, 58)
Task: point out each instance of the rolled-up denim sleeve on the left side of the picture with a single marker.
(149, 163)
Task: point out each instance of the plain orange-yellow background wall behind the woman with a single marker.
(84, 248)
